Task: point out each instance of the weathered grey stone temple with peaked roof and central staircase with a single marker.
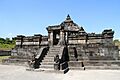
(73, 46)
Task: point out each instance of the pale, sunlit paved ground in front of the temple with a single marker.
(11, 72)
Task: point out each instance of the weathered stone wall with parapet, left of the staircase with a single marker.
(28, 46)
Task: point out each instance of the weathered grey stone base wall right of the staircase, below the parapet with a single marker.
(93, 52)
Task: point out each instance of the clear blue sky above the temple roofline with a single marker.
(29, 17)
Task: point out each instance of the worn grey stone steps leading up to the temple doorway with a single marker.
(48, 61)
